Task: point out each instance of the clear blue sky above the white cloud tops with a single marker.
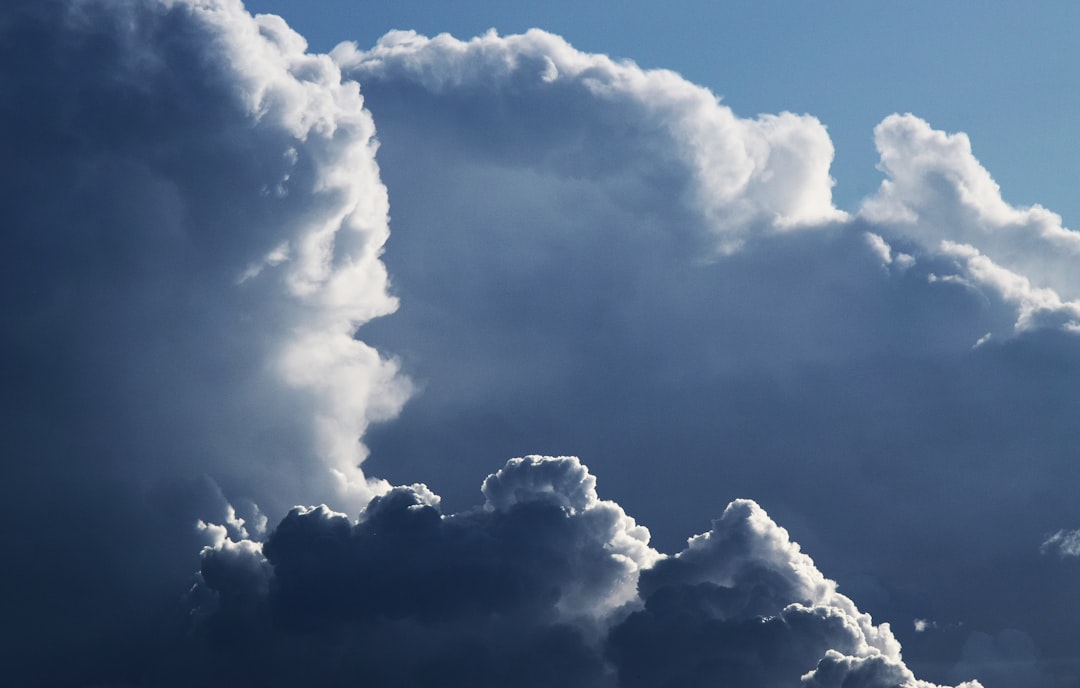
(1005, 73)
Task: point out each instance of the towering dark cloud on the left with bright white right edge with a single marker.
(193, 223)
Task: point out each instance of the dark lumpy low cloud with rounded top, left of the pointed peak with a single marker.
(515, 591)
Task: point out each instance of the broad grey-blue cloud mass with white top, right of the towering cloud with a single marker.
(576, 279)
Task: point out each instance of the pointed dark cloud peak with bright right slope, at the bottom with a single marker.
(744, 605)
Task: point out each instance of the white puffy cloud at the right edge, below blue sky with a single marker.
(939, 195)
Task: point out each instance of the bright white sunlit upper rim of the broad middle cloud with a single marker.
(746, 174)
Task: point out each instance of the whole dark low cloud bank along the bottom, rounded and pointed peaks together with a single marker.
(544, 562)
